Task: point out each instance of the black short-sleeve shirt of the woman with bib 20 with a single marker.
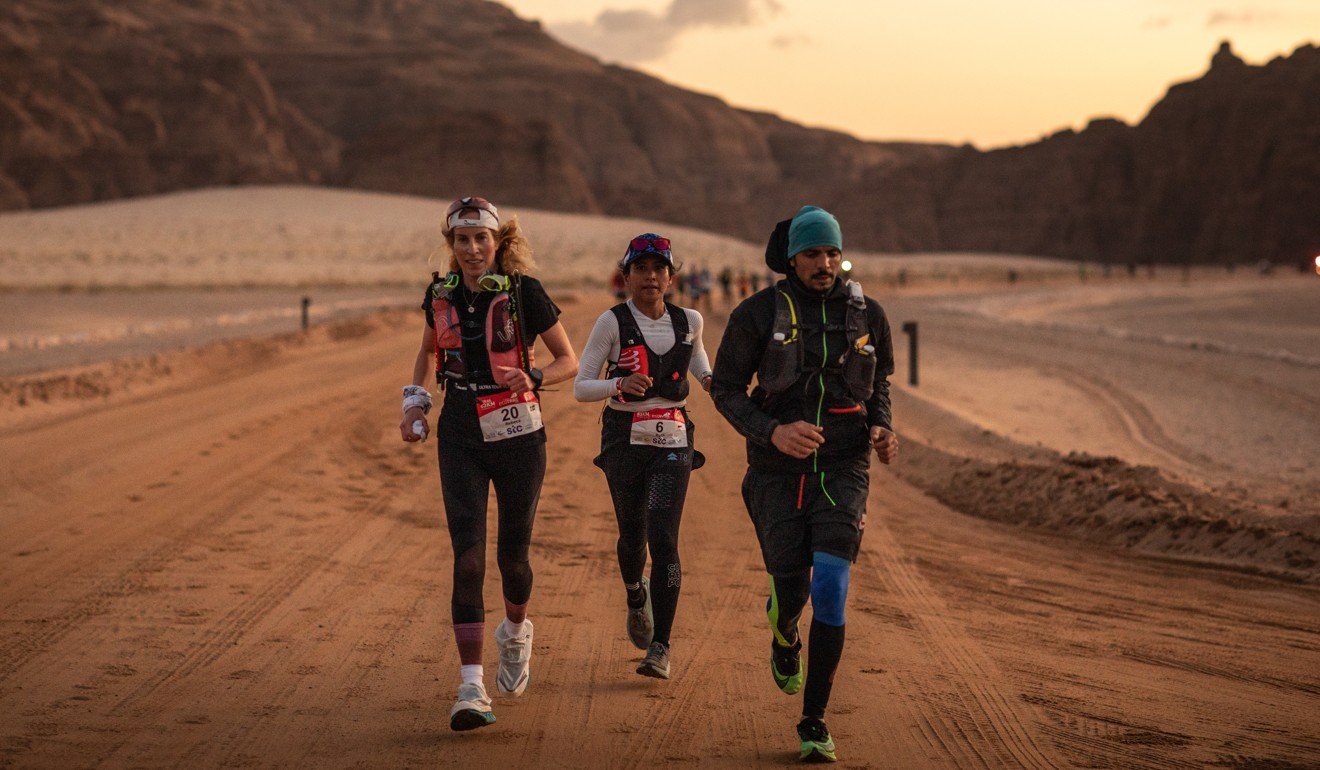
(459, 422)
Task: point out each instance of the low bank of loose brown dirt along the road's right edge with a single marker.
(1137, 508)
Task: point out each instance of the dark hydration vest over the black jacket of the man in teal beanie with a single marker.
(785, 359)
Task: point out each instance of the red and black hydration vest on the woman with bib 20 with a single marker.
(502, 333)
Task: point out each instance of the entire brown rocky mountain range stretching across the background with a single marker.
(110, 98)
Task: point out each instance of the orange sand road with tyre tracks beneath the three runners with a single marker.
(250, 570)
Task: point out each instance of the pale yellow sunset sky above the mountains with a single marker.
(943, 71)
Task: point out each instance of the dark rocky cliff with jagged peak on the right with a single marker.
(1224, 168)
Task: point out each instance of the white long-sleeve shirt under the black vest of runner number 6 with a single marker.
(603, 347)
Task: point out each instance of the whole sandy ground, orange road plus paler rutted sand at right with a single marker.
(1099, 550)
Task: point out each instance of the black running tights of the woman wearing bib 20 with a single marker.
(467, 476)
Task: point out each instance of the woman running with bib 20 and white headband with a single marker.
(482, 322)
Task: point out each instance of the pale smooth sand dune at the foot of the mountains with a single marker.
(294, 237)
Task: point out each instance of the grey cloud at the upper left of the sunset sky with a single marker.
(638, 36)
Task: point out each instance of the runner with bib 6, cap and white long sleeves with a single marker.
(646, 348)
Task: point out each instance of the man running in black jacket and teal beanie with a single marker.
(822, 355)
